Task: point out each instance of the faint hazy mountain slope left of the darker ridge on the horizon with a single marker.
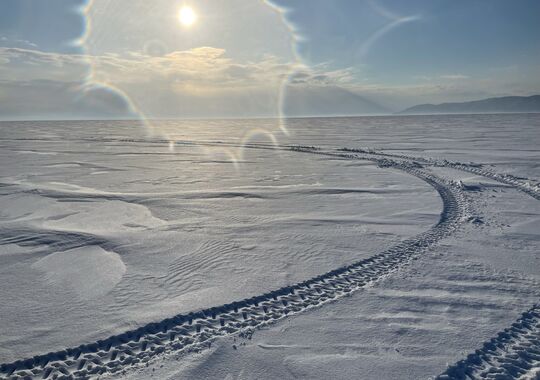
(327, 101)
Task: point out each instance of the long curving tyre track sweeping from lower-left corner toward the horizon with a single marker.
(192, 331)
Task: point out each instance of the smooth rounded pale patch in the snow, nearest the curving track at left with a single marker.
(89, 271)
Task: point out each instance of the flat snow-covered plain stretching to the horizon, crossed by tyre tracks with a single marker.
(105, 228)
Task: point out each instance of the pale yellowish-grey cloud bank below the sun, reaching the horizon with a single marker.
(181, 83)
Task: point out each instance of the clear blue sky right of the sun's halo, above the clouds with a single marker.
(443, 36)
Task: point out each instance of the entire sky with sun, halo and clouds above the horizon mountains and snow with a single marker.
(246, 58)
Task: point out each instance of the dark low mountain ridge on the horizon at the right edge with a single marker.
(491, 105)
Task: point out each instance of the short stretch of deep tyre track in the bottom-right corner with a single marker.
(513, 354)
